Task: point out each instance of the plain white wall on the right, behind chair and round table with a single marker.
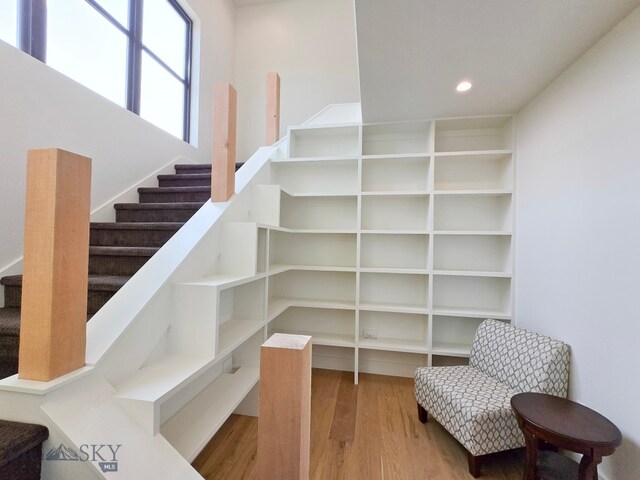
(578, 232)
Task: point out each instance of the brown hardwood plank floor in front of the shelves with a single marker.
(365, 432)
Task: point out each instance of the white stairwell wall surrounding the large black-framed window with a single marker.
(41, 108)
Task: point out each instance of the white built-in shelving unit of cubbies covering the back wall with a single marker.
(394, 240)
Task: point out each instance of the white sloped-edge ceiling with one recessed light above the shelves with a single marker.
(412, 53)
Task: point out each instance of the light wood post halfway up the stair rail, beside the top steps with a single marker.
(223, 170)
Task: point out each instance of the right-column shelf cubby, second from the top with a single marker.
(482, 171)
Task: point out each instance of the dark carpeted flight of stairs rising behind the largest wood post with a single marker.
(118, 249)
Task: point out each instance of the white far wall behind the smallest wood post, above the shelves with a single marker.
(312, 46)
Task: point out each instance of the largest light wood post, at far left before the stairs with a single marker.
(56, 264)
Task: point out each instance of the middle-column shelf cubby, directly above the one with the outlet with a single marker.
(392, 292)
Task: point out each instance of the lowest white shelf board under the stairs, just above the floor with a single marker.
(196, 423)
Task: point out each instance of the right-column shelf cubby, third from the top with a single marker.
(482, 212)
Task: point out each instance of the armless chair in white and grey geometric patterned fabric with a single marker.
(472, 402)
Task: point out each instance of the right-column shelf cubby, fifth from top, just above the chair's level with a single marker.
(471, 296)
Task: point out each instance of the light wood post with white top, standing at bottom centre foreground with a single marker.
(285, 408)
